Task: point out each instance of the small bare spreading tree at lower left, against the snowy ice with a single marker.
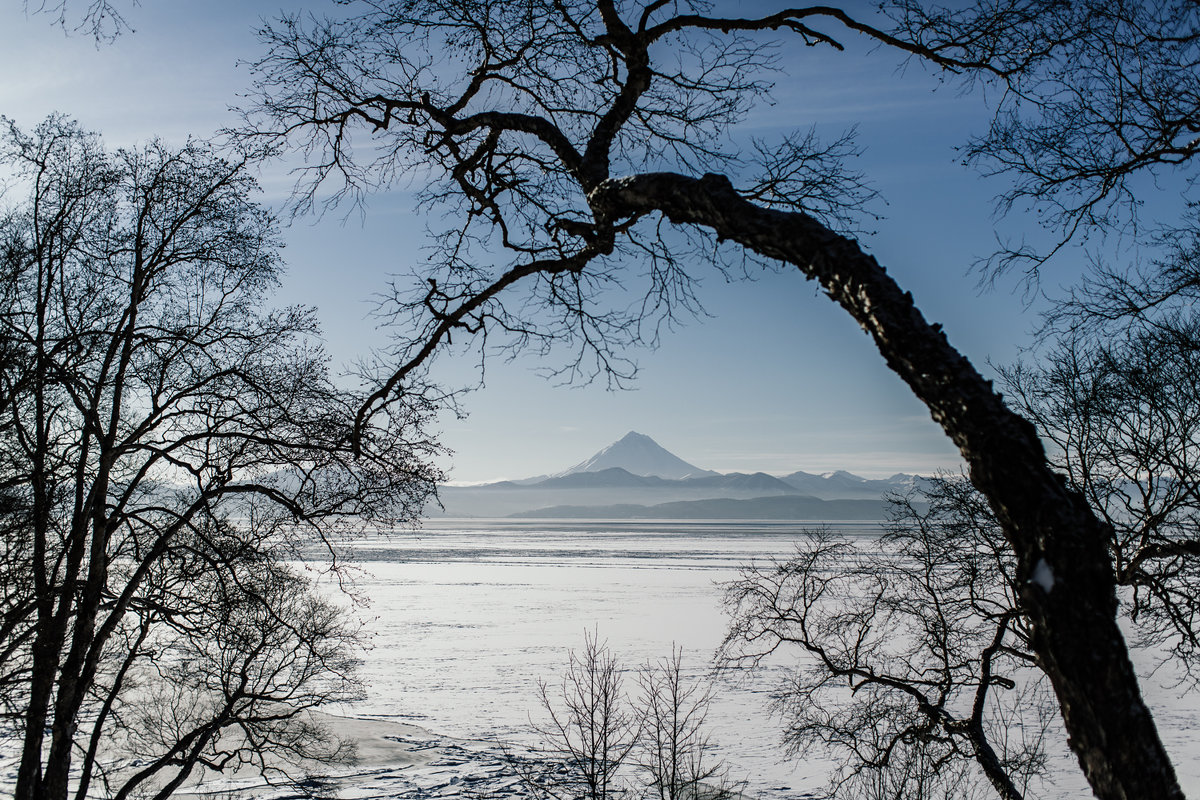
(236, 693)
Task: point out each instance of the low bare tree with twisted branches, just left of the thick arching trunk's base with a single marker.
(917, 672)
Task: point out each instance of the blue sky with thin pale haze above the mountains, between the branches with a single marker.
(776, 380)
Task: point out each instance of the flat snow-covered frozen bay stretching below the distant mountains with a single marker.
(469, 616)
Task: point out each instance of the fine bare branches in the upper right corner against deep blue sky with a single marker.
(1113, 101)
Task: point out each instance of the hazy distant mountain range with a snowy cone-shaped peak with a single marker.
(637, 478)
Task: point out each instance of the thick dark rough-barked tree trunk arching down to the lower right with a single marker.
(1067, 584)
